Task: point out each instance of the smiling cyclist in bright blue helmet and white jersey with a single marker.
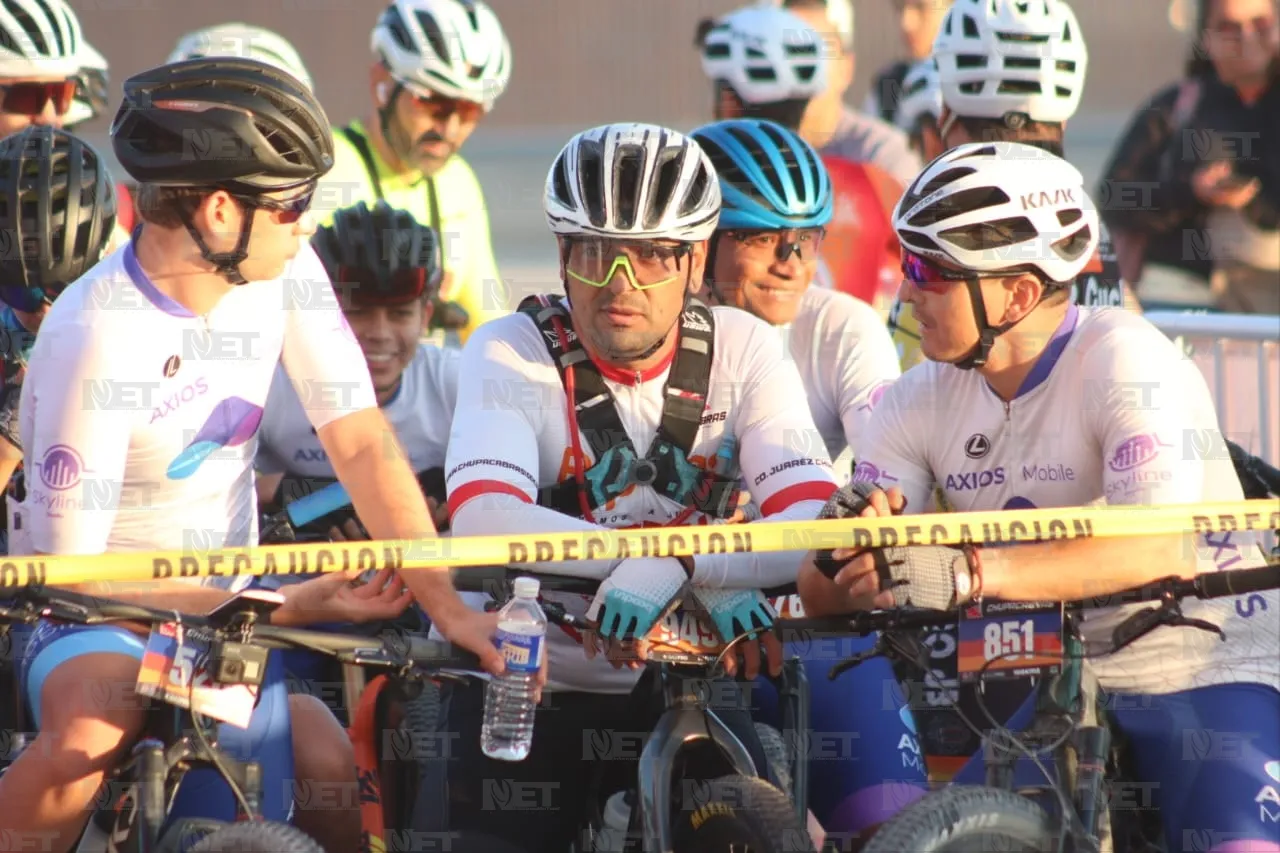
(776, 203)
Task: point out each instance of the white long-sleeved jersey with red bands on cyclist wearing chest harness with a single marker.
(511, 437)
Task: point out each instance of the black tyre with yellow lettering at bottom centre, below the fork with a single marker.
(740, 815)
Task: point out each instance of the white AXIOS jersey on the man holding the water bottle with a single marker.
(140, 419)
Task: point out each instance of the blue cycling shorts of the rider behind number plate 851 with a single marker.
(1208, 759)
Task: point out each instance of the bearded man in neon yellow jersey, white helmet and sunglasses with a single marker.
(440, 67)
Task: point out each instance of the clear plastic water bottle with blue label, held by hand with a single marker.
(509, 700)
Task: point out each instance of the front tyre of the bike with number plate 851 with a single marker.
(968, 820)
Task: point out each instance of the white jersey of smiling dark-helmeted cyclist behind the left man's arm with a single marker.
(420, 413)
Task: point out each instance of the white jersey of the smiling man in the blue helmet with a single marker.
(847, 359)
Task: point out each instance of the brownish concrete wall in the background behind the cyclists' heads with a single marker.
(587, 62)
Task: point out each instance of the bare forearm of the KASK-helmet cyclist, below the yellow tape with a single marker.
(1075, 569)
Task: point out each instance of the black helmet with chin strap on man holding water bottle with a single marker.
(222, 122)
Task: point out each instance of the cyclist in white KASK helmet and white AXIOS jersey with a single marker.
(1030, 402)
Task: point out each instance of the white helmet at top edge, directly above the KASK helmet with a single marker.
(1000, 57)
